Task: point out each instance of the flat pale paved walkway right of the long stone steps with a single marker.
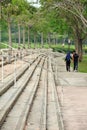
(72, 91)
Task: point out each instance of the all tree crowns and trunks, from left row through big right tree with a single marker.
(56, 17)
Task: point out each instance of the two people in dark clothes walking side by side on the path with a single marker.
(75, 61)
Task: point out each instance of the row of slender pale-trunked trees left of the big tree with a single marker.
(23, 16)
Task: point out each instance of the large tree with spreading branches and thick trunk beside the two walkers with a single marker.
(74, 13)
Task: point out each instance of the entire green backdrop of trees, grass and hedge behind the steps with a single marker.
(54, 24)
